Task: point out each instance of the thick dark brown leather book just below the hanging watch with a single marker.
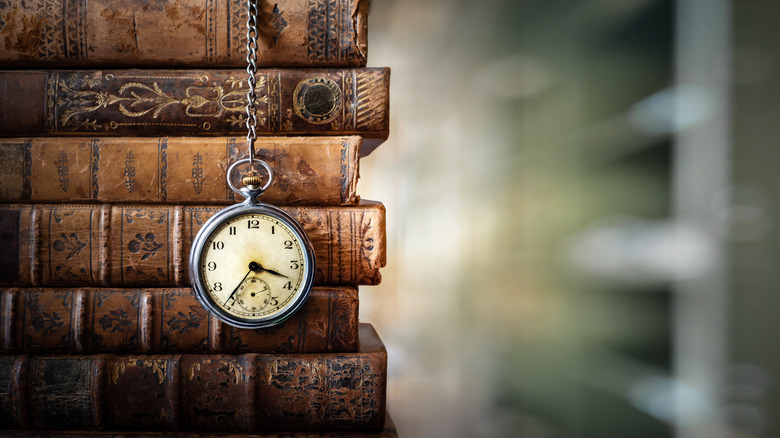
(197, 392)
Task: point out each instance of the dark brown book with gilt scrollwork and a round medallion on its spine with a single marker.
(195, 102)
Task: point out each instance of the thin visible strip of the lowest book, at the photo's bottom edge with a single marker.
(389, 431)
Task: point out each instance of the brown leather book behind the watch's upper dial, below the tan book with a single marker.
(148, 245)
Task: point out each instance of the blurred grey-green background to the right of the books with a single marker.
(582, 200)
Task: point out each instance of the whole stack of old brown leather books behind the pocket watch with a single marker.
(119, 120)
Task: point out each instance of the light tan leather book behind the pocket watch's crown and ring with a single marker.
(307, 170)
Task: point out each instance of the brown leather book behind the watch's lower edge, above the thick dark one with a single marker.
(98, 320)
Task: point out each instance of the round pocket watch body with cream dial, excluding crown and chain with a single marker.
(253, 268)
